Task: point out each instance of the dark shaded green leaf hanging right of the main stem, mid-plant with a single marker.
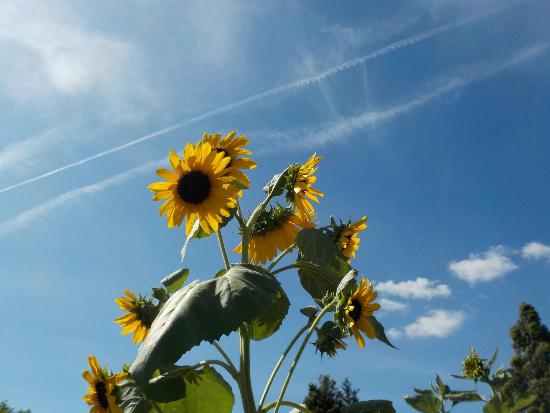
(318, 246)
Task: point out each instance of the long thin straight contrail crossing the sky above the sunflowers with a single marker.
(408, 41)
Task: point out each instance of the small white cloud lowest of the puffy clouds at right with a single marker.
(439, 323)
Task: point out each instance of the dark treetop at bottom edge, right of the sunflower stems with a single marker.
(327, 398)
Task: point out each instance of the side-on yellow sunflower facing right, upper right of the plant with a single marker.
(299, 186)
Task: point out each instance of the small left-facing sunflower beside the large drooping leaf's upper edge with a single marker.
(139, 318)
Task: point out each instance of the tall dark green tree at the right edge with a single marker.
(530, 366)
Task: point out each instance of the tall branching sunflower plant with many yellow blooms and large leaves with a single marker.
(204, 189)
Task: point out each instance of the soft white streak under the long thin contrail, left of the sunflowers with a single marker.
(27, 217)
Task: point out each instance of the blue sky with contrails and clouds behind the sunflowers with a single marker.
(431, 116)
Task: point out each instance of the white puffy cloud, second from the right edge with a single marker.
(483, 267)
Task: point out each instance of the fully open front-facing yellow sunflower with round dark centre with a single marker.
(197, 188)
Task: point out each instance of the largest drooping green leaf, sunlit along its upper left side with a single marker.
(203, 310)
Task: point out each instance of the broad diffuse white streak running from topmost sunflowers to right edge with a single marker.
(342, 129)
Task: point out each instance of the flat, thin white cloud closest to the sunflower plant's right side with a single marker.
(420, 289)
